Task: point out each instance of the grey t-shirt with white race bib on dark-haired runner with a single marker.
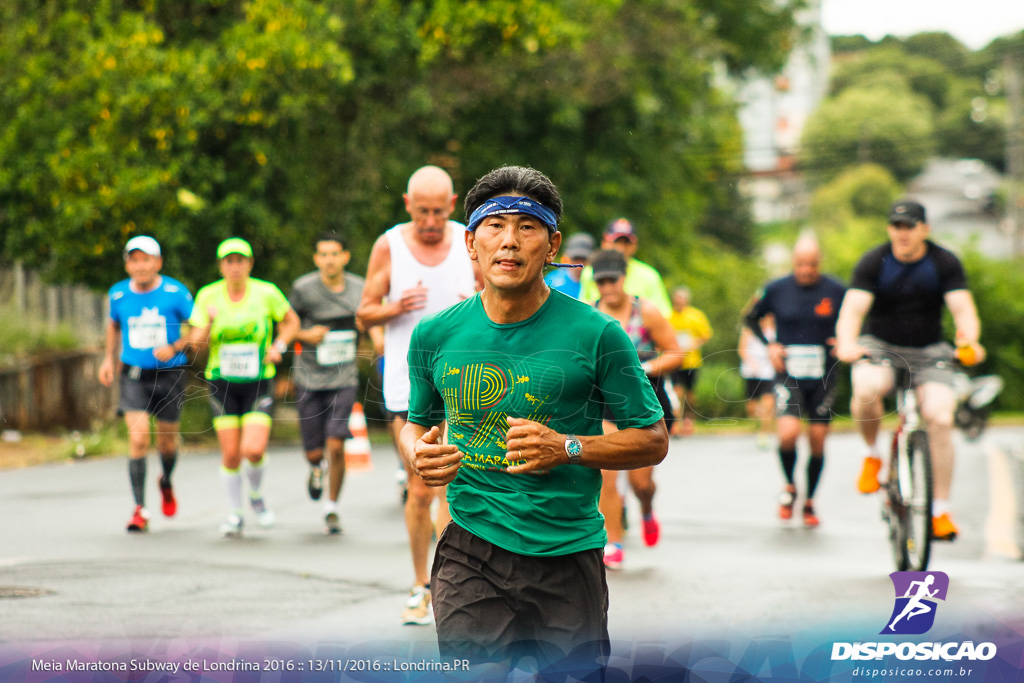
(331, 365)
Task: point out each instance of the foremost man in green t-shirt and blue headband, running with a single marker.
(522, 375)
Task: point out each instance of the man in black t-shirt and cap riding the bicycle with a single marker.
(898, 293)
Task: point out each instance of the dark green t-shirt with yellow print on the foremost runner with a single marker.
(561, 368)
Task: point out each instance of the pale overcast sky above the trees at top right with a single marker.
(974, 23)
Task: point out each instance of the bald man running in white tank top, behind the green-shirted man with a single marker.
(417, 269)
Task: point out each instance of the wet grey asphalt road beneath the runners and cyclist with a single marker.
(726, 565)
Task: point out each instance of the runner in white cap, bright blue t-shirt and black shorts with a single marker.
(148, 312)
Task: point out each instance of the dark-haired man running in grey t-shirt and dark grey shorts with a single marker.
(326, 376)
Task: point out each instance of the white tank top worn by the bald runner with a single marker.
(448, 284)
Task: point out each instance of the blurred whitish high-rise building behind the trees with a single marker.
(774, 111)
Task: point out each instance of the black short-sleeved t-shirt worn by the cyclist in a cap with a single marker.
(909, 297)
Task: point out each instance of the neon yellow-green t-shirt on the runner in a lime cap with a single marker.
(242, 331)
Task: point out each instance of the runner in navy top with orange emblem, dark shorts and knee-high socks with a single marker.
(805, 306)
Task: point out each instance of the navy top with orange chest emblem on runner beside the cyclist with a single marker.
(803, 315)
